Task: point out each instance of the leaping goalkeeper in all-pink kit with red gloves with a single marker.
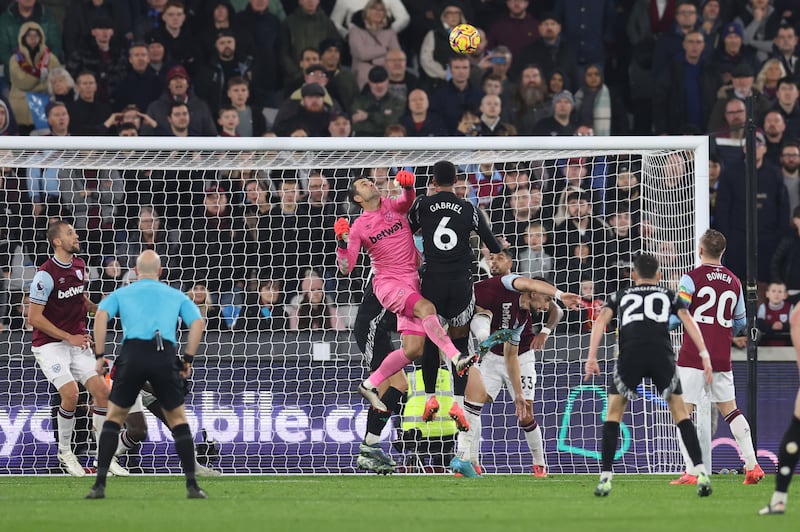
(383, 231)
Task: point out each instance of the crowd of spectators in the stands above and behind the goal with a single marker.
(384, 68)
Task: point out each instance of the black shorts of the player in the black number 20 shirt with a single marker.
(633, 366)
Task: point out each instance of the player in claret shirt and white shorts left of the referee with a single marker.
(61, 345)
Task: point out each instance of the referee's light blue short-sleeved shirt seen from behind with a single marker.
(147, 306)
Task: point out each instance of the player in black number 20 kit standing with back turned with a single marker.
(645, 350)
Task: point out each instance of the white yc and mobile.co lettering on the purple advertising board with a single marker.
(254, 420)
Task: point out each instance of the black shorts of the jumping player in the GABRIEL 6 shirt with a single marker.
(453, 295)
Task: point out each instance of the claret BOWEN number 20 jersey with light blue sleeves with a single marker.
(714, 296)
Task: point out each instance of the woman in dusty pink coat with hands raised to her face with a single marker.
(370, 37)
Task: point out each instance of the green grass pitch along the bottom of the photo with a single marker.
(382, 504)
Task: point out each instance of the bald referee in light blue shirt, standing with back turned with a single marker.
(149, 312)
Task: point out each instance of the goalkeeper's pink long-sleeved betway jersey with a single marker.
(386, 236)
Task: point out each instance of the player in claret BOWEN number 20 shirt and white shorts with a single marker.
(716, 302)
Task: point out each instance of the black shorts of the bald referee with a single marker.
(139, 362)
